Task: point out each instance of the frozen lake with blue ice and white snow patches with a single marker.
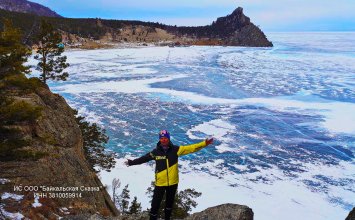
(283, 119)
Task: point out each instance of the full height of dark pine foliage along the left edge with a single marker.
(13, 55)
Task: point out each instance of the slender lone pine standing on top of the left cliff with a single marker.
(51, 63)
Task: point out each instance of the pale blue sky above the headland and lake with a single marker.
(271, 15)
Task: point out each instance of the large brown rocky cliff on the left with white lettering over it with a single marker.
(48, 176)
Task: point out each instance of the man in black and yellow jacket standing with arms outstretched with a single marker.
(166, 170)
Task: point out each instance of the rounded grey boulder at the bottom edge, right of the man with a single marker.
(224, 212)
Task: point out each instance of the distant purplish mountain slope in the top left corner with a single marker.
(25, 6)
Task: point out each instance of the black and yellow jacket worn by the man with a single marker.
(166, 169)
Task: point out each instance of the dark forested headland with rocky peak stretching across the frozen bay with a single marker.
(235, 29)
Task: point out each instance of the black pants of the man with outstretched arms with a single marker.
(159, 192)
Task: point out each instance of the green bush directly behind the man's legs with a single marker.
(183, 203)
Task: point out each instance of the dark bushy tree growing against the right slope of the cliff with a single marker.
(95, 139)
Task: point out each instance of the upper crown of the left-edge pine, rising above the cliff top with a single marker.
(13, 54)
